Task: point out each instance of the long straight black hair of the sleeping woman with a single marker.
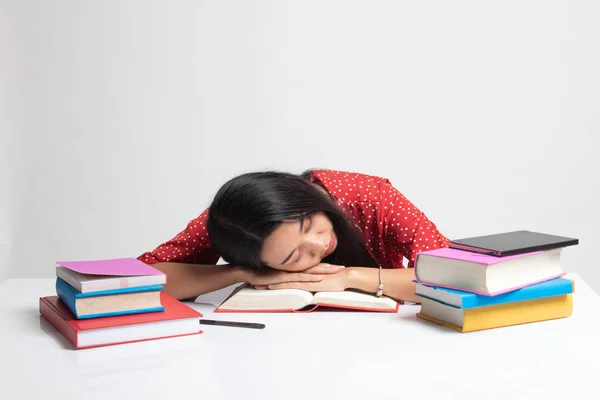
(247, 208)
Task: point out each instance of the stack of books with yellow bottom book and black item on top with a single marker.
(495, 281)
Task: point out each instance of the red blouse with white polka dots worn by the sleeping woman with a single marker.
(393, 227)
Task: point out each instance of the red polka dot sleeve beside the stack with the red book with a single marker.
(192, 245)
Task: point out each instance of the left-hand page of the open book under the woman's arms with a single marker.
(252, 299)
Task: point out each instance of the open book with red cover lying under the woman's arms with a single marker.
(246, 299)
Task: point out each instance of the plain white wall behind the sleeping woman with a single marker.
(120, 119)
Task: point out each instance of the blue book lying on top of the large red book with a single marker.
(108, 303)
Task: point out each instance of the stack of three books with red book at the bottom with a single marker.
(107, 302)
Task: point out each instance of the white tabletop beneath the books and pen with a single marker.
(304, 356)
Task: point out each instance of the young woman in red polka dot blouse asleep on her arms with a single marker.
(319, 231)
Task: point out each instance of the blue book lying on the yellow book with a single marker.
(463, 300)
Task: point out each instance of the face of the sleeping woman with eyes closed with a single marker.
(299, 244)
